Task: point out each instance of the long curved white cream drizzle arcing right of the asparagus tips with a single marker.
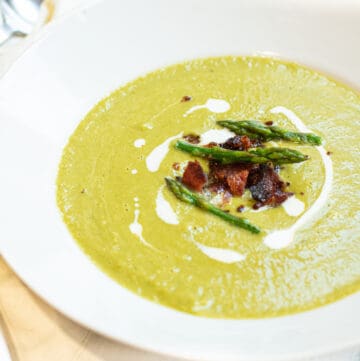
(282, 238)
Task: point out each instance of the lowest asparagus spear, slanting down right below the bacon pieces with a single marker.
(185, 195)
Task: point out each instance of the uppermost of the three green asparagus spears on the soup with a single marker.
(257, 130)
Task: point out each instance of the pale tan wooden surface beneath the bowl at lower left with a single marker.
(37, 332)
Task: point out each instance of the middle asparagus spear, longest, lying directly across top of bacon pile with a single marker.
(255, 156)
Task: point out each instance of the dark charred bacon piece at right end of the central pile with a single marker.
(266, 187)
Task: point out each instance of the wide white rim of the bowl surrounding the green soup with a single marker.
(77, 62)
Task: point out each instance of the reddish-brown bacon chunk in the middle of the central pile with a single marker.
(232, 176)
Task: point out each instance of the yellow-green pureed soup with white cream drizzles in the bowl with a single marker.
(112, 192)
